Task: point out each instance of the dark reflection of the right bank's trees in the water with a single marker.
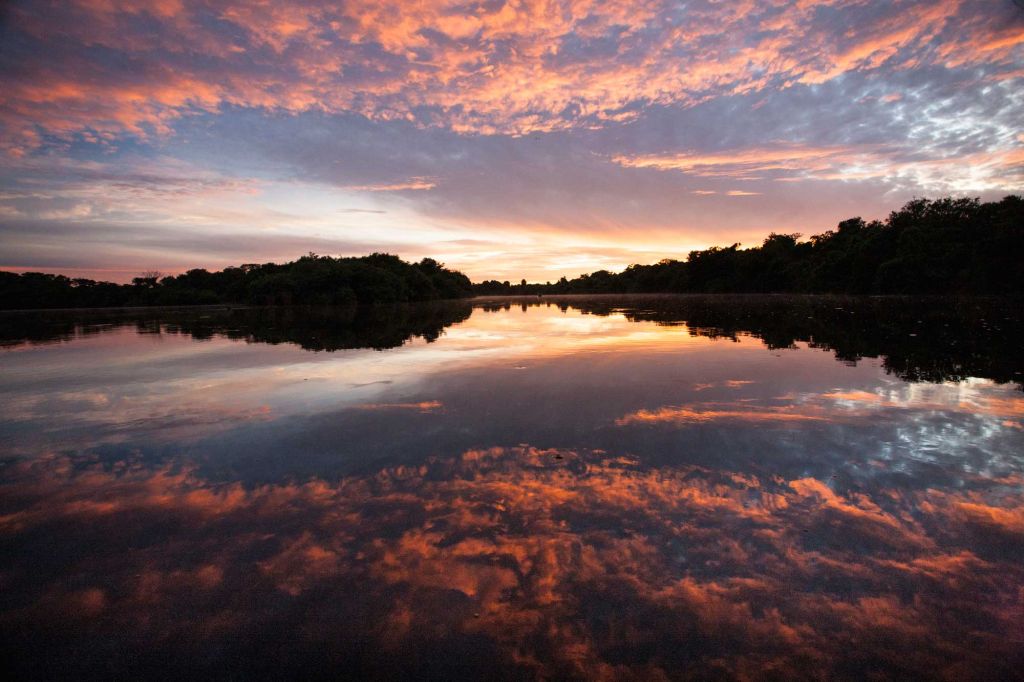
(916, 339)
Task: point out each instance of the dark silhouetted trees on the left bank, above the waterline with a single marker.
(312, 280)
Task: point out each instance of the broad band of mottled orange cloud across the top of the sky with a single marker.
(506, 68)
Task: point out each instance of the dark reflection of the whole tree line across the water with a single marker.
(917, 339)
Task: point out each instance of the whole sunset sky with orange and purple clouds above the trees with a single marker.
(521, 139)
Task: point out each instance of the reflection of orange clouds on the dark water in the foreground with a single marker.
(522, 545)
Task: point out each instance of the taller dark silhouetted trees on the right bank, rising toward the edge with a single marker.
(950, 246)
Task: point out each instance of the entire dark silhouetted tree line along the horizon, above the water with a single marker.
(949, 246)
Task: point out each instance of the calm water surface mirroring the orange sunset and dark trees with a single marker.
(664, 487)
